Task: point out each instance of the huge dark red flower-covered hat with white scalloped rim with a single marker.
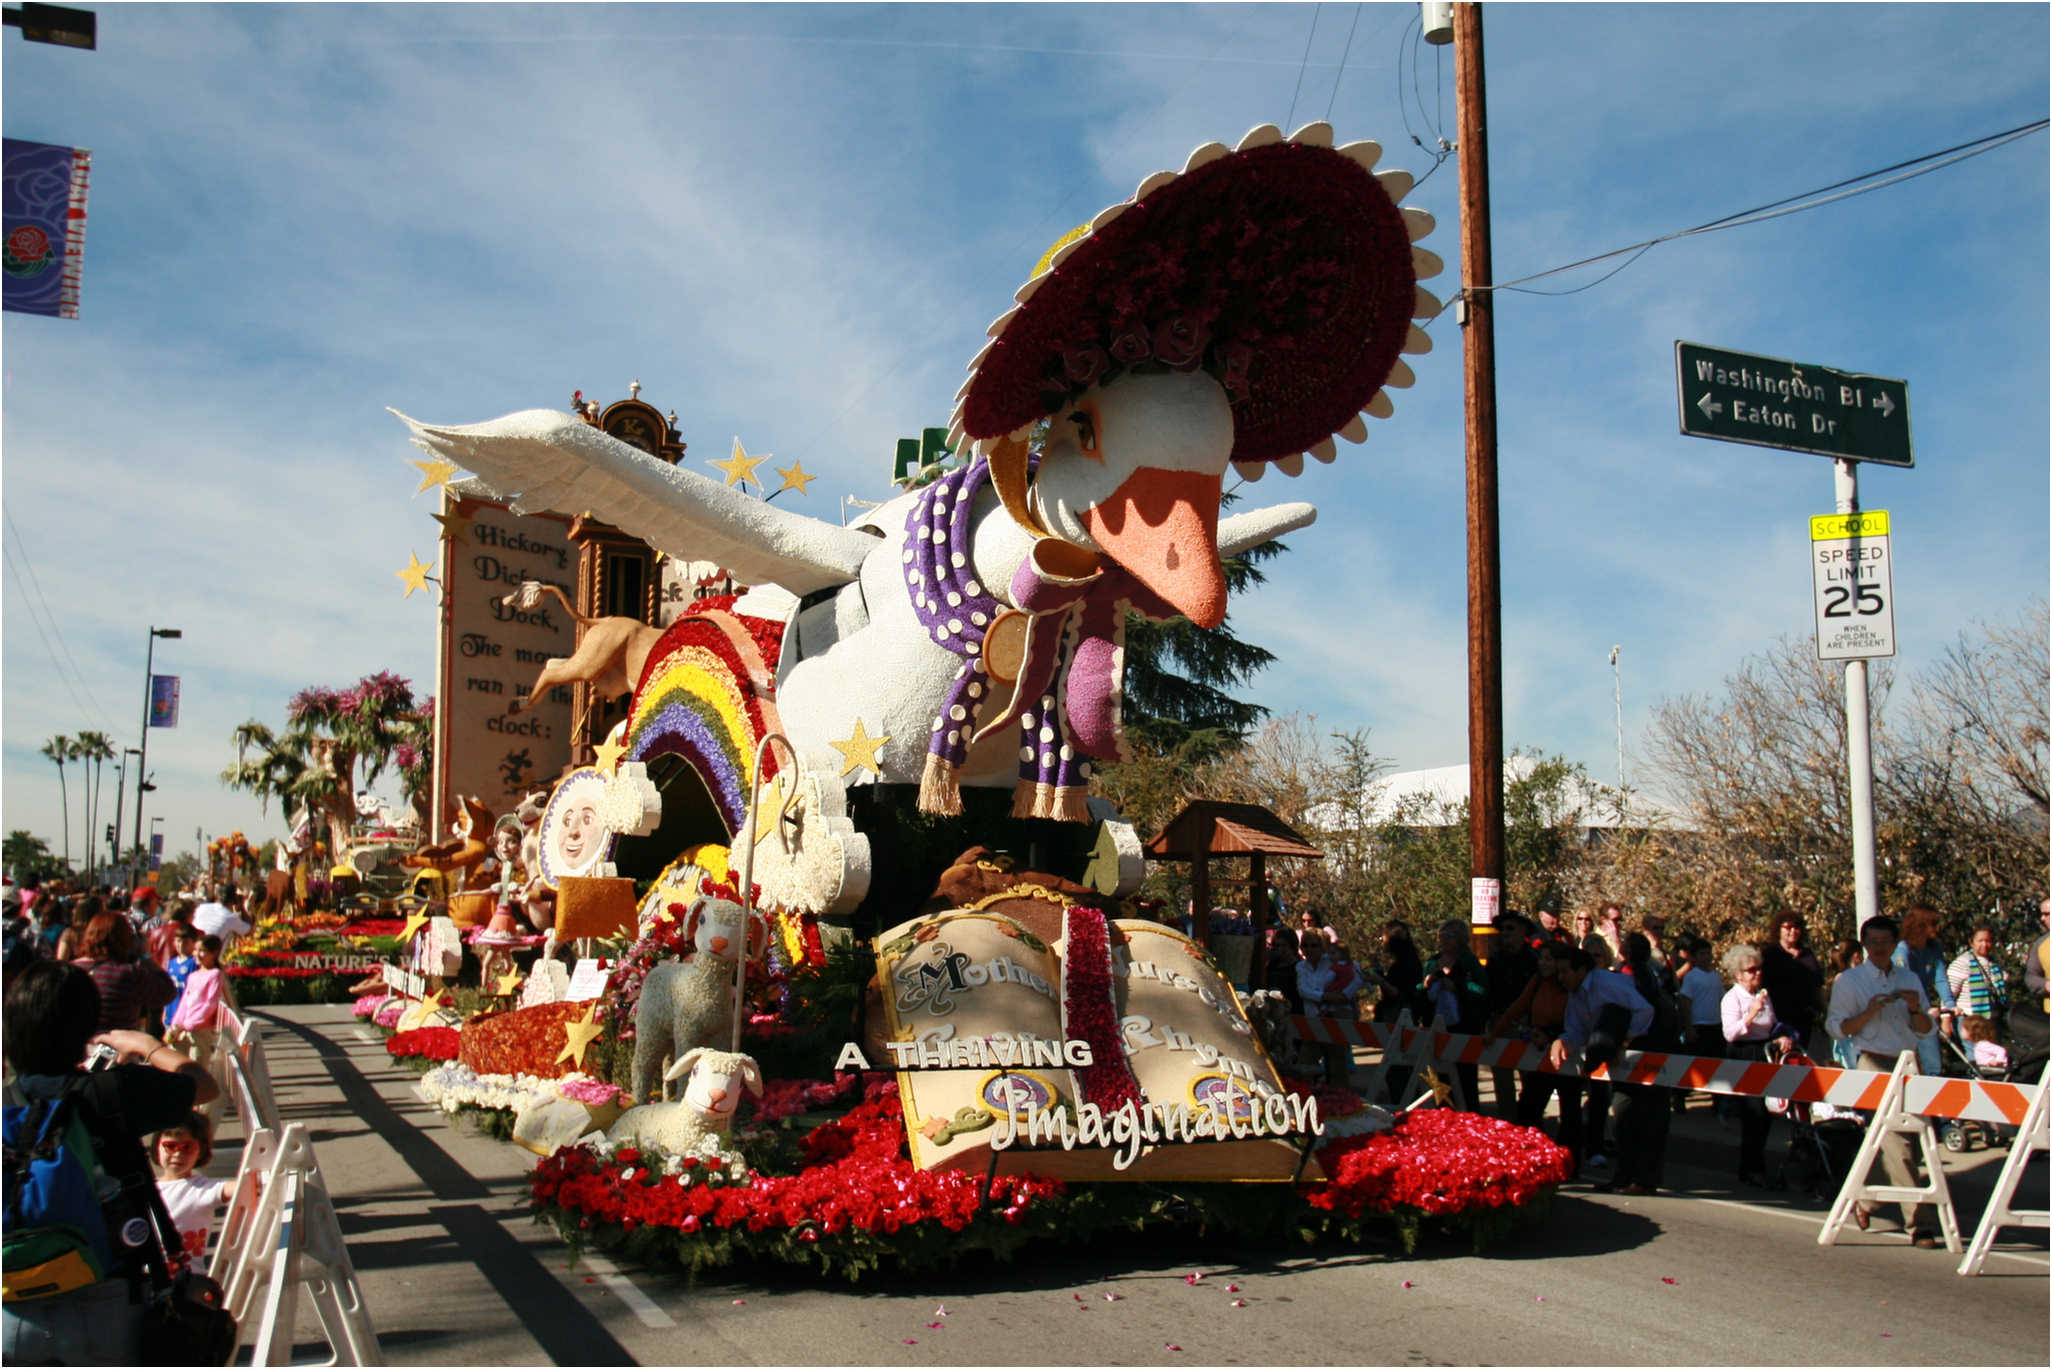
(1281, 268)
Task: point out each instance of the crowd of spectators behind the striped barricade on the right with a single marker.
(1589, 988)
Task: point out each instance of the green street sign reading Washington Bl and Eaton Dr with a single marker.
(1774, 403)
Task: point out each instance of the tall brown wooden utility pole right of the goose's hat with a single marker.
(1485, 598)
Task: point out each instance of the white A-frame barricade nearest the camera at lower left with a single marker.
(292, 1245)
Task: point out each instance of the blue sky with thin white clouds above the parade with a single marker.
(793, 225)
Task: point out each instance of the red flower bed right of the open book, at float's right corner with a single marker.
(1437, 1163)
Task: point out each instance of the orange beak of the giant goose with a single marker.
(1162, 526)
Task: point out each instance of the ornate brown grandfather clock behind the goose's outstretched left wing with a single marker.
(617, 574)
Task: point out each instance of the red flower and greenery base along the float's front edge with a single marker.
(859, 1206)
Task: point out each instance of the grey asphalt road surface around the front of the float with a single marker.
(459, 1274)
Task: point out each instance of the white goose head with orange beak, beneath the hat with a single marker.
(1134, 471)
